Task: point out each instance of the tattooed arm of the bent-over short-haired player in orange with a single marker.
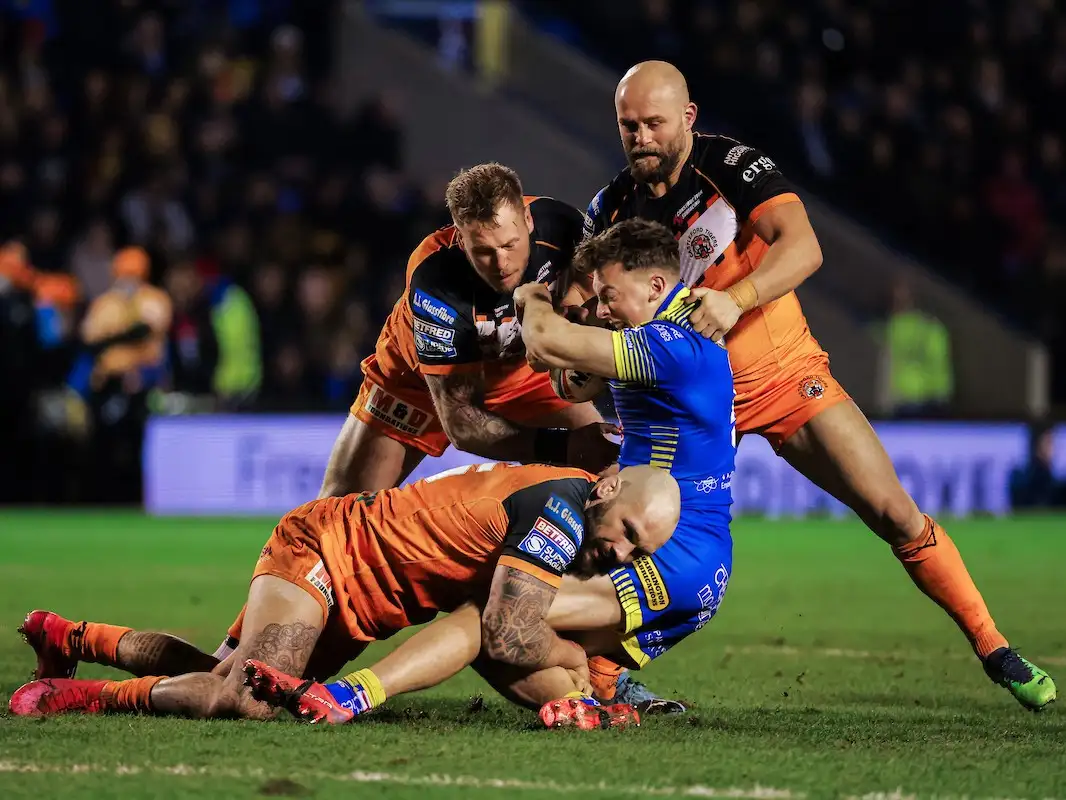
(459, 398)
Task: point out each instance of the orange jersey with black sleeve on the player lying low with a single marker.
(431, 546)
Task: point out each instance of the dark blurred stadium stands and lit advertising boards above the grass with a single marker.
(279, 162)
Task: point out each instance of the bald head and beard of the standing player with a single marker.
(655, 120)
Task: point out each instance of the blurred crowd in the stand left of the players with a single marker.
(202, 141)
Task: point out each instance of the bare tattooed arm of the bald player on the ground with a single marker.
(514, 625)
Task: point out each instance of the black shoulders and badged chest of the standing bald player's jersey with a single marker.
(723, 186)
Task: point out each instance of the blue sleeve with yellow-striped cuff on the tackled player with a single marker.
(656, 355)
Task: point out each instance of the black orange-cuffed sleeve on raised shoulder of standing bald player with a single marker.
(748, 179)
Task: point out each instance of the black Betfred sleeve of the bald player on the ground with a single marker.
(546, 525)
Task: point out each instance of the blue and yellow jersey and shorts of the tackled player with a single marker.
(674, 398)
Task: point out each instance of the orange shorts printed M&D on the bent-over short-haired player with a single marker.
(400, 406)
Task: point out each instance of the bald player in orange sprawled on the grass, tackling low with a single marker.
(341, 572)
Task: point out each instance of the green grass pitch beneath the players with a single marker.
(826, 675)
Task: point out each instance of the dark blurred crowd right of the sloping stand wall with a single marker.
(942, 124)
